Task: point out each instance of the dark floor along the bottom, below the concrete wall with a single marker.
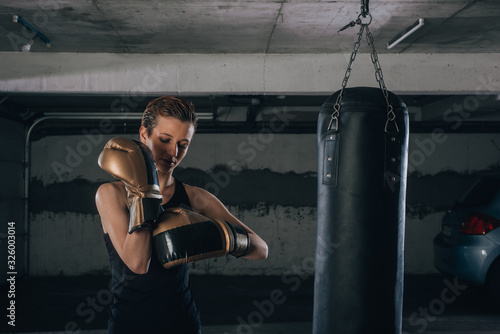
(68, 304)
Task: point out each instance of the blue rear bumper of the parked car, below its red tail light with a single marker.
(469, 261)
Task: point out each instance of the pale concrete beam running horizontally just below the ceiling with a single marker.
(191, 74)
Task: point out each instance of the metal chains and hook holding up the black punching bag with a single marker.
(391, 116)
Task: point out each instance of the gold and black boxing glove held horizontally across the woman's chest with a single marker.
(183, 236)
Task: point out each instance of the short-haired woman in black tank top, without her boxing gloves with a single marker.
(147, 297)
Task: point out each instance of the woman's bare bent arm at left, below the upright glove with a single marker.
(134, 249)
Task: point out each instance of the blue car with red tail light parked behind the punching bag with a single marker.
(468, 246)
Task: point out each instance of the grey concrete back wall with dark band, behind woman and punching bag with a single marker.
(268, 180)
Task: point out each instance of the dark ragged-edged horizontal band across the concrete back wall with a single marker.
(248, 189)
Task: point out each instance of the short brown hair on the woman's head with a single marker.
(168, 106)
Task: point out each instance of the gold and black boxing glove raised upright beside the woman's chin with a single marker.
(131, 162)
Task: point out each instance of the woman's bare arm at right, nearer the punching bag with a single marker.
(210, 206)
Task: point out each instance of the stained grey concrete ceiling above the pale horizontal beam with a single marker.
(262, 26)
